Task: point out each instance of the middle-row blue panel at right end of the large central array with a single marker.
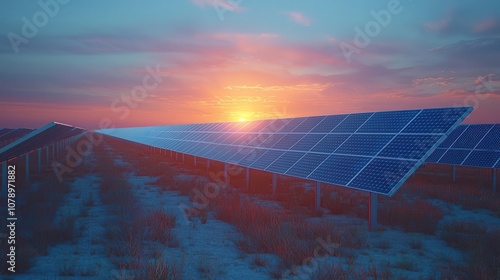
(409, 146)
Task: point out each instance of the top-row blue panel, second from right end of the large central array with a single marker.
(388, 122)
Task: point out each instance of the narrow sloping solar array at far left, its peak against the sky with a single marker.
(53, 132)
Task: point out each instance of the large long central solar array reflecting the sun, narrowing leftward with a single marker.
(375, 152)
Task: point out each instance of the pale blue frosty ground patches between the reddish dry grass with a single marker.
(208, 250)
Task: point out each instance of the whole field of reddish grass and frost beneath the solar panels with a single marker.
(127, 213)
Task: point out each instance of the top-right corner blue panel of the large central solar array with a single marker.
(436, 120)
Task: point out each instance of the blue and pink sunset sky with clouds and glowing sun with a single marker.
(127, 63)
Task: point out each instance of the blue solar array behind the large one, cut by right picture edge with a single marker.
(476, 145)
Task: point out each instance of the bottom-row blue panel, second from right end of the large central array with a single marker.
(338, 169)
